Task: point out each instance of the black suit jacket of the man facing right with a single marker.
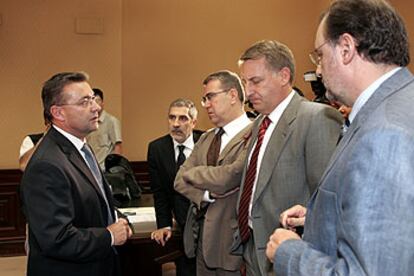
(66, 213)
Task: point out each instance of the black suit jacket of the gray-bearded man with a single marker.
(162, 170)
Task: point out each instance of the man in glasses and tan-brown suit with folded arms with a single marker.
(210, 178)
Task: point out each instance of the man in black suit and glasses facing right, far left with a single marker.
(68, 205)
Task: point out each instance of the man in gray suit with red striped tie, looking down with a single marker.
(292, 141)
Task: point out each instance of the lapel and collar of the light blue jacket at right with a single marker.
(396, 82)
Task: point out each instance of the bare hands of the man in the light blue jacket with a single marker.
(289, 219)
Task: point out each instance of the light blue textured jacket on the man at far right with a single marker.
(361, 220)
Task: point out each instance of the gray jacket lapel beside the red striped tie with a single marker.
(276, 144)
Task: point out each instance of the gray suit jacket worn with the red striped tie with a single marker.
(294, 160)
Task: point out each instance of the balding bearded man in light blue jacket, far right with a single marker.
(360, 221)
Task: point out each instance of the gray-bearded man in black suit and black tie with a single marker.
(165, 155)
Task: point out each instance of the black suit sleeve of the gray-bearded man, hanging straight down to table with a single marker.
(163, 208)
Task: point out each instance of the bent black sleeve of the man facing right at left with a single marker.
(50, 210)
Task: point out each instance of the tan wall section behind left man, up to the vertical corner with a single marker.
(38, 40)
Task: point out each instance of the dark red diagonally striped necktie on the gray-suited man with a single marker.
(248, 183)
